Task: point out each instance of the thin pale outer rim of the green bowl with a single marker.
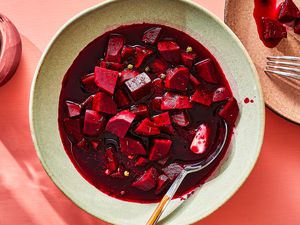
(196, 6)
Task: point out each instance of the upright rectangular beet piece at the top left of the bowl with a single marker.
(114, 48)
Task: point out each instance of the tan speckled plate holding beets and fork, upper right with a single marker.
(281, 94)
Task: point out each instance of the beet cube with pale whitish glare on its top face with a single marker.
(139, 86)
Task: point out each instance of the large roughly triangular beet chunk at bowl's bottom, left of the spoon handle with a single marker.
(147, 181)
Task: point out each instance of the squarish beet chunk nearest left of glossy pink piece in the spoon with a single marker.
(160, 149)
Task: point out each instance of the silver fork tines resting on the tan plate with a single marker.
(286, 66)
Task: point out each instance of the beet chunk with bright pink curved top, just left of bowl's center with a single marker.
(120, 123)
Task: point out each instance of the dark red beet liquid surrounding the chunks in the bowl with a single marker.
(91, 164)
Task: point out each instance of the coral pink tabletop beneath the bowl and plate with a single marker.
(271, 195)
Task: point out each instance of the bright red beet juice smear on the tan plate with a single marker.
(265, 8)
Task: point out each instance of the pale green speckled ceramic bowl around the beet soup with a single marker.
(214, 35)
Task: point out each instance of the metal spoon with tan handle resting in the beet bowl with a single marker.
(190, 168)
